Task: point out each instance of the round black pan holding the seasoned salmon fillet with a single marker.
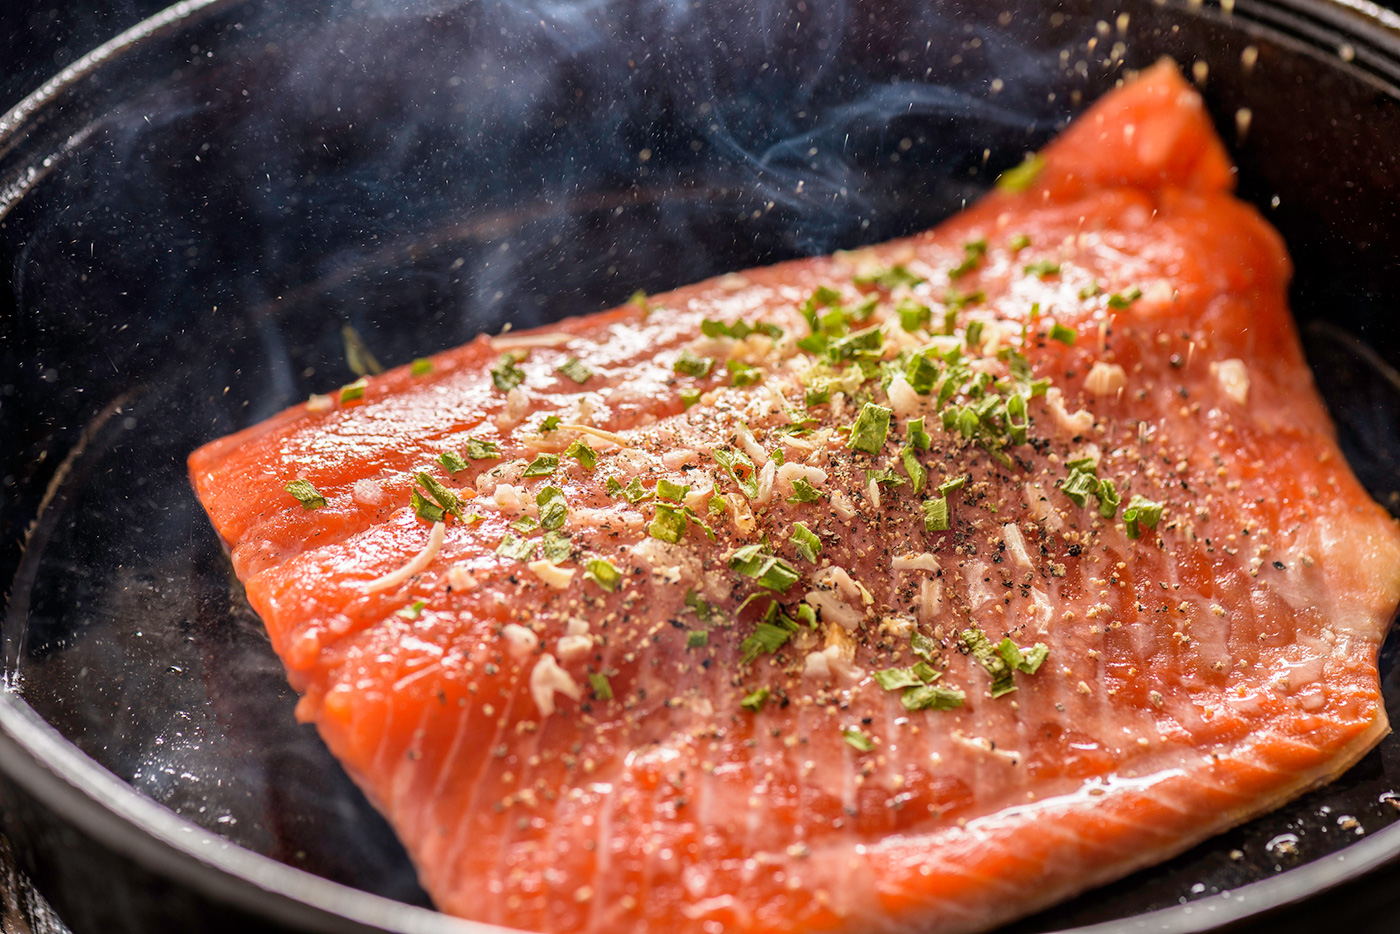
(192, 214)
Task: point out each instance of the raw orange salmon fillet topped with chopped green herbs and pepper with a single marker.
(911, 589)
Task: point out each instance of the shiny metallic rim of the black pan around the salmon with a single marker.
(86, 796)
